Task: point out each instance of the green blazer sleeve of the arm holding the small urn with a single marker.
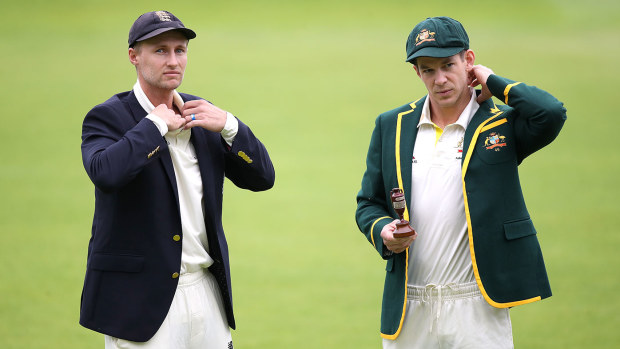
(372, 214)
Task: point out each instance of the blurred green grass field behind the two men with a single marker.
(309, 77)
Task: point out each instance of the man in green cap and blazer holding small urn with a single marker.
(454, 153)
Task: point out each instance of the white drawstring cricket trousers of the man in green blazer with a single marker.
(452, 316)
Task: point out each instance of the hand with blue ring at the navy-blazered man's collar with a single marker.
(206, 115)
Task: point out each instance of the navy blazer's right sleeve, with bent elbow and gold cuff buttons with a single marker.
(248, 164)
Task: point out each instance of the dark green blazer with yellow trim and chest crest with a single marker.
(506, 257)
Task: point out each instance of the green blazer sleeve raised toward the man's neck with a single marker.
(538, 116)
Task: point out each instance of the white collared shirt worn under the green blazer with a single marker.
(440, 253)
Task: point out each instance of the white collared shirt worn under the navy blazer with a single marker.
(195, 247)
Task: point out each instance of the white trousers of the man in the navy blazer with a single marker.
(196, 319)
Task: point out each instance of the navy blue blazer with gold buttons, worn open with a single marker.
(132, 255)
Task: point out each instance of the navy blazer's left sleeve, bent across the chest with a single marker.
(115, 149)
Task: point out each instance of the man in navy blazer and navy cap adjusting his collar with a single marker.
(158, 159)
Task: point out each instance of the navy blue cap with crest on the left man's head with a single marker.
(154, 23)
